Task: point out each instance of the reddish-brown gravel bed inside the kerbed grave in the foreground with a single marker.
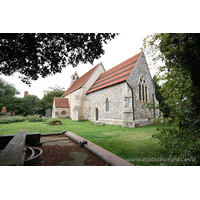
(59, 150)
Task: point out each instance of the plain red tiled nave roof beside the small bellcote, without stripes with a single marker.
(79, 82)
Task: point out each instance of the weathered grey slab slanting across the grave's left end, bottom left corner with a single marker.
(12, 154)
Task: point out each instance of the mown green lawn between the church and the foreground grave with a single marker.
(127, 143)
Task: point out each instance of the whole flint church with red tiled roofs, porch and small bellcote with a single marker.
(116, 96)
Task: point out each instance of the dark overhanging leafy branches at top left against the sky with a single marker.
(40, 54)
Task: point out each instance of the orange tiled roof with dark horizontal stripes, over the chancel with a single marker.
(116, 74)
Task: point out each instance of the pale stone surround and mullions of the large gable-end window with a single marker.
(146, 93)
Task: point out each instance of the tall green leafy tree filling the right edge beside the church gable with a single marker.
(180, 132)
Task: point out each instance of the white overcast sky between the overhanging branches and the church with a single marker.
(117, 50)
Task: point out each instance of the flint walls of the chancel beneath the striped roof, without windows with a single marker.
(120, 100)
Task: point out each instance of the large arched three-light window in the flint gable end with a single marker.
(142, 89)
